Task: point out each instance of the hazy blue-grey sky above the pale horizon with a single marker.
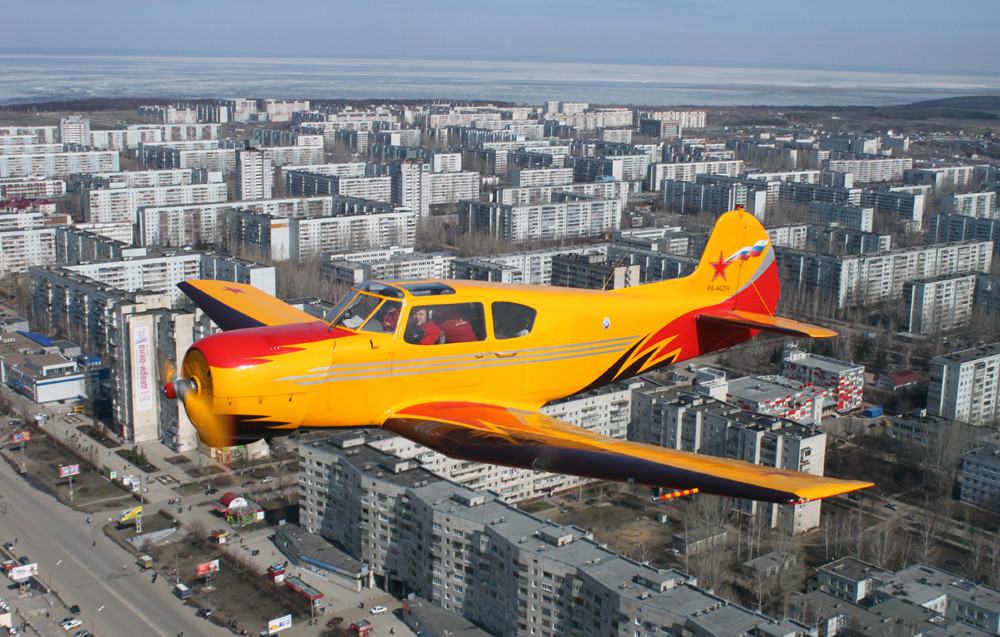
(919, 35)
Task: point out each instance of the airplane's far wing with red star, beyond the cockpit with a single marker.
(236, 306)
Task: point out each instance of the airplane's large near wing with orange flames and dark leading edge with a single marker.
(531, 440)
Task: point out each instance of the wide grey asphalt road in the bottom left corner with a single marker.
(60, 541)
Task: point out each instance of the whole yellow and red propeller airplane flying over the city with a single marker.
(462, 367)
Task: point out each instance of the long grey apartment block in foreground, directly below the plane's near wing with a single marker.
(495, 564)
